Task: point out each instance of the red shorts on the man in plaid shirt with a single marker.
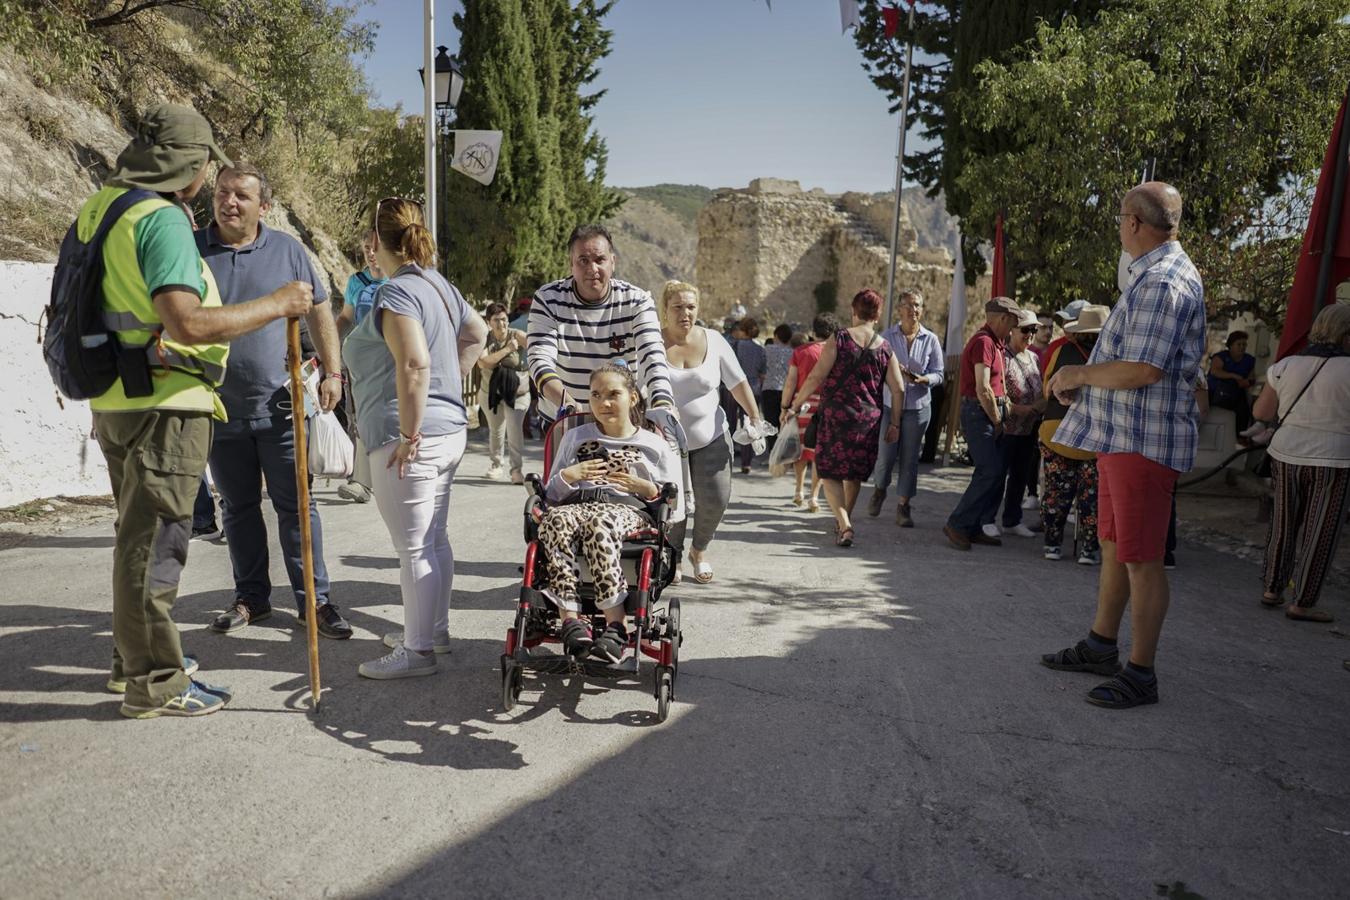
(1135, 505)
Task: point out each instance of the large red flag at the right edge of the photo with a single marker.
(1329, 211)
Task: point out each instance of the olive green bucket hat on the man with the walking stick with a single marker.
(168, 152)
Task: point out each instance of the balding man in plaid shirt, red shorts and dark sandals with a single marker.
(1133, 405)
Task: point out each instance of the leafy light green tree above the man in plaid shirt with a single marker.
(1233, 101)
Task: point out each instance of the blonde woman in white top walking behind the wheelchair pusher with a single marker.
(700, 362)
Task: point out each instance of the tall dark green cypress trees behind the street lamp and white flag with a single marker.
(527, 63)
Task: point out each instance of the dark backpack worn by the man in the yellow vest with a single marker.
(82, 353)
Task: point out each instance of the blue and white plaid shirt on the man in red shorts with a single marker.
(1159, 320)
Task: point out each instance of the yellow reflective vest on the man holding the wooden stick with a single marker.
(186, 377)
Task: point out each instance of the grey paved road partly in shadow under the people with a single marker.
(851, 724)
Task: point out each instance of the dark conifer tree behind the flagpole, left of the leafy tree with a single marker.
(952, 40)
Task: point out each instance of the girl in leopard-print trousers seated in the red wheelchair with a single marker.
(603, 477)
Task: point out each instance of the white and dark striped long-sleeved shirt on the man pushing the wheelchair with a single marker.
(570, 338)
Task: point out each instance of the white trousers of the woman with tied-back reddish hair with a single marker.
(416, 509)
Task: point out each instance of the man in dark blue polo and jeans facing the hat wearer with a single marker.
(259, 442)
